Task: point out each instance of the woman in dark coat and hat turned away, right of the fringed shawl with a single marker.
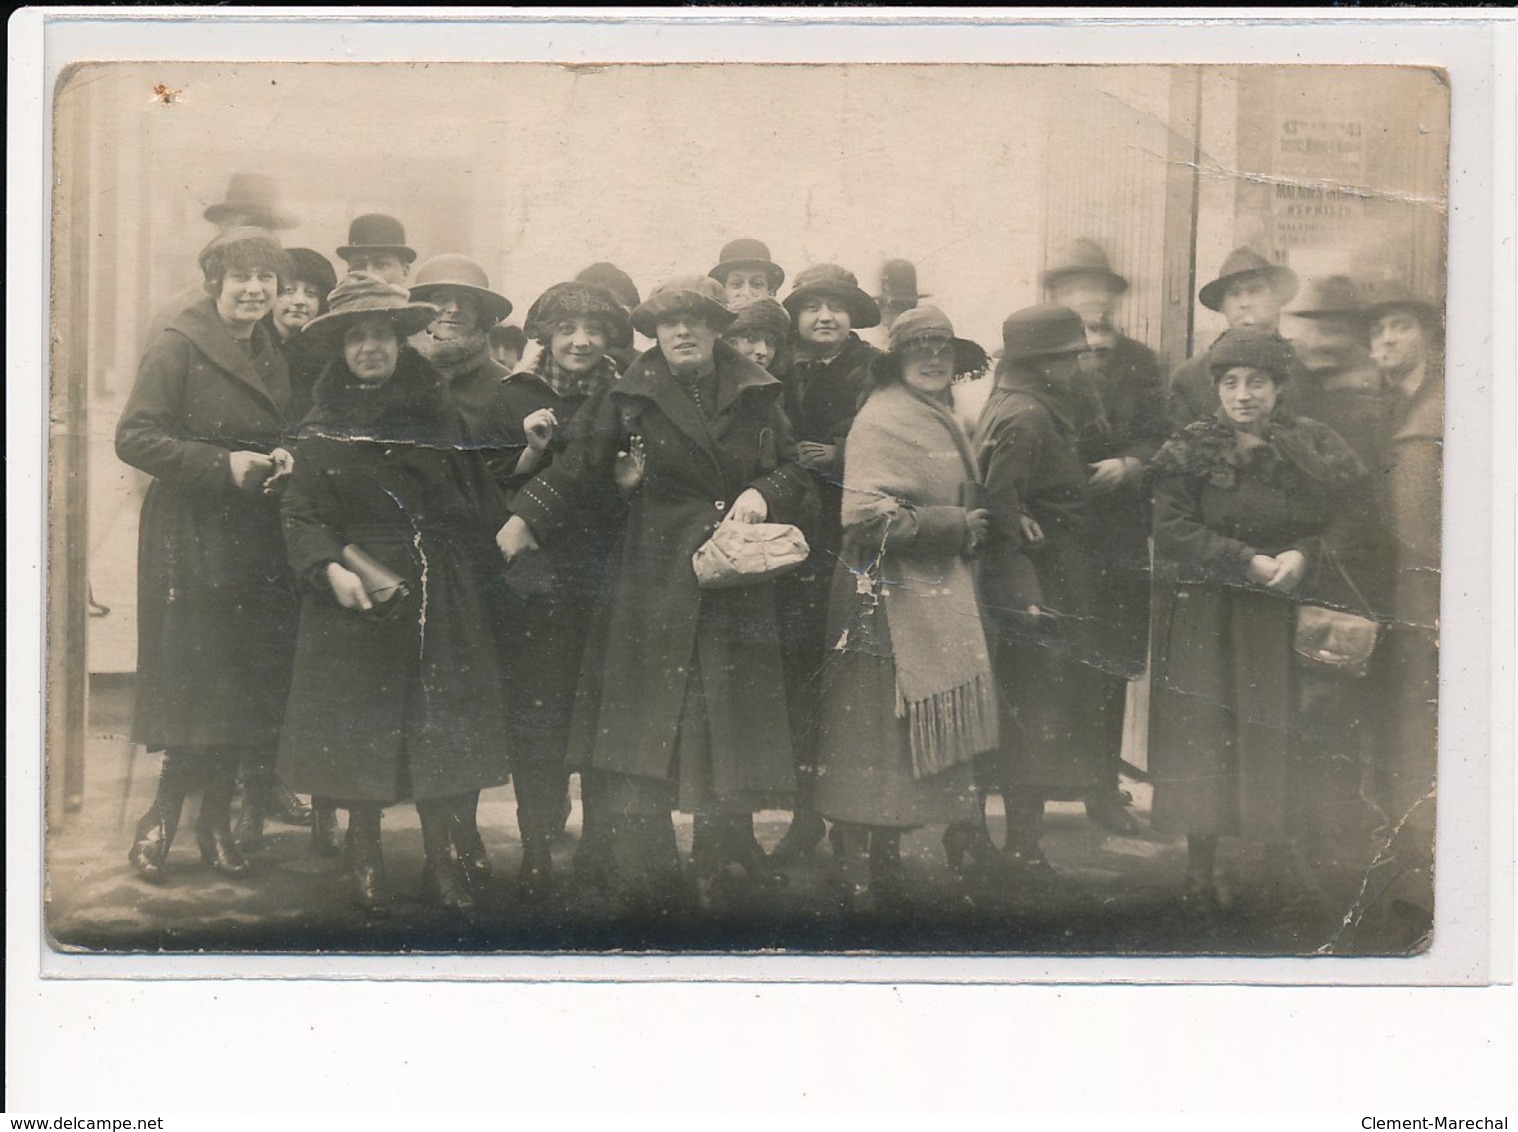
(1042, 599)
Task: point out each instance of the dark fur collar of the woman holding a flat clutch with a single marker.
(409, 409)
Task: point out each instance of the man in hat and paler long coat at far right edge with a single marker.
(1406, 339)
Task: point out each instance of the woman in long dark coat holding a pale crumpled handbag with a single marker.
(682, 697)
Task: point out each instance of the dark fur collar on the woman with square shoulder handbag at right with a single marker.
(1218, 451)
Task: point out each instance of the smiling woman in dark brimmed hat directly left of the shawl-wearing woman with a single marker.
(828, 377)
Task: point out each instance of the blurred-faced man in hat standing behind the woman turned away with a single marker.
(1121, 426)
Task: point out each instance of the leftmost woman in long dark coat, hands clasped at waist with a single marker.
(210, 420)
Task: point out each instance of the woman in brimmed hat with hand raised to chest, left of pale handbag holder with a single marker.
(576, 325)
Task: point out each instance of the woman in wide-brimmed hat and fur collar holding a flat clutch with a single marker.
(397, 693)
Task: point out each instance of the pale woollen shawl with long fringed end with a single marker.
(909, 451)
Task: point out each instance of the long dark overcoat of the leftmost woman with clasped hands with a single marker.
(216, 605)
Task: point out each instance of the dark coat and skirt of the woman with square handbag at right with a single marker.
(1230, 747)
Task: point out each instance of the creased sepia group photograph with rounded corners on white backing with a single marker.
(918, 509)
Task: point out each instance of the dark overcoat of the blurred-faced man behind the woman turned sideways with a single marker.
(1133, 424)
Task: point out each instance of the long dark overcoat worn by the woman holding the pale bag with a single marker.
(655, 624)
